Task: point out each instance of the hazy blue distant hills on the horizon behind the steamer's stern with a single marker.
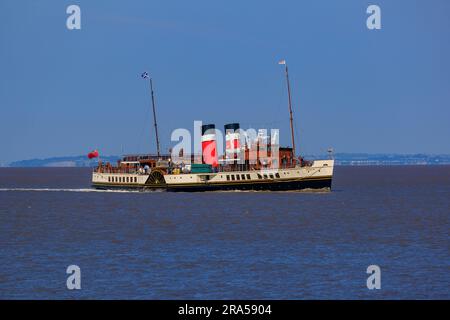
(75, 161)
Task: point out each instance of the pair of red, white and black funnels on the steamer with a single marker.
(209, 145)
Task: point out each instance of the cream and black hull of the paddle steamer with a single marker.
(317, 176)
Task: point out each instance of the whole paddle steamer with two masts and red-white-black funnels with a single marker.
(252, 165)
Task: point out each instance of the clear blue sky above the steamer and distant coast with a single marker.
(66, 92)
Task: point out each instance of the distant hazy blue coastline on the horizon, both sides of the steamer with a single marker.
(343, 159)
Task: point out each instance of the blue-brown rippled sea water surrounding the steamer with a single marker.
(227, 245)
